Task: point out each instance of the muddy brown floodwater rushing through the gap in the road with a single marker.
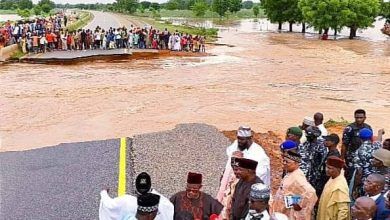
(268, 80)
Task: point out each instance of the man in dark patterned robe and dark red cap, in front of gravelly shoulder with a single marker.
(193, 203)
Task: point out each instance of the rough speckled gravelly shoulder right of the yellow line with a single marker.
(169, 155)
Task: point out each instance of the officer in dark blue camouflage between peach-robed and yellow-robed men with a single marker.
(313, 153)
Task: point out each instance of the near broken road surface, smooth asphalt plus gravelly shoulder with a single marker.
(64, 181)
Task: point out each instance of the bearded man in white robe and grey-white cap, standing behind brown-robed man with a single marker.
(250, 150)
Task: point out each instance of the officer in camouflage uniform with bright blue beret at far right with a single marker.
(362, 160)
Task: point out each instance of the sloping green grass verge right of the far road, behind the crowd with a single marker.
(210, 33)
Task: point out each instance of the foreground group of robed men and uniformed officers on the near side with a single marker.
(319, 181)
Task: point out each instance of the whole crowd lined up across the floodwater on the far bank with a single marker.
(40, 36)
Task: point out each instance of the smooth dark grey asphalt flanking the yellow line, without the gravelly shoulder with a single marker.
(59, 182)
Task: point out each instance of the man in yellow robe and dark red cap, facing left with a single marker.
(334, 201)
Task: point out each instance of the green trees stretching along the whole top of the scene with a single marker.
(322, 15)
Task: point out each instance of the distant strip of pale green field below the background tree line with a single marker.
(243, 13)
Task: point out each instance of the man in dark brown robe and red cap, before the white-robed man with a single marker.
(246, 172)
